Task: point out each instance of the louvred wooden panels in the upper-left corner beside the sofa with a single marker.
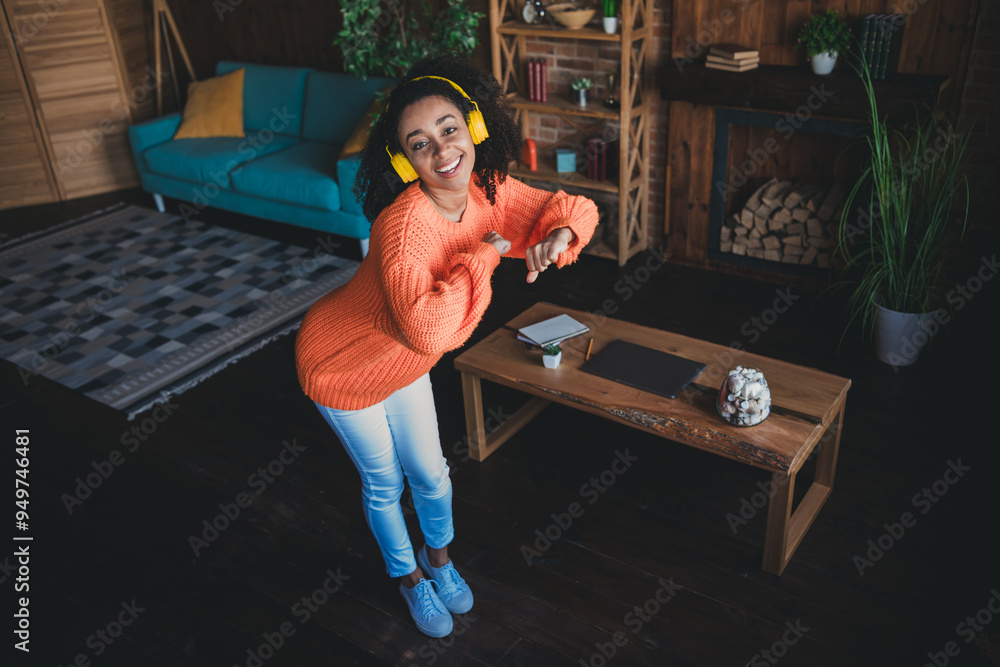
(67, 97)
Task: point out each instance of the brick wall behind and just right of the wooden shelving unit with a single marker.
(568, 60)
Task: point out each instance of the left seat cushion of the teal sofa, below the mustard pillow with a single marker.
(209, 160)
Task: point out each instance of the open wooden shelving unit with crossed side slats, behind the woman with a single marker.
(509, 36)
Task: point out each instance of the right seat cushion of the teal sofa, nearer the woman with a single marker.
(304, 174)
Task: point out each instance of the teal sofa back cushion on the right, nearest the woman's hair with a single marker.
(335, 103)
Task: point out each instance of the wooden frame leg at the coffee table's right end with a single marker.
(785, 529)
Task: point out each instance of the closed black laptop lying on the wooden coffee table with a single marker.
(644, 368)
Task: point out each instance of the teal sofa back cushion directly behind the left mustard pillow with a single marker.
(272, 96)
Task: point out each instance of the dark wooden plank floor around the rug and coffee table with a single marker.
(652, 573)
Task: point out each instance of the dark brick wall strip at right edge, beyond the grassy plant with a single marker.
(979, 109)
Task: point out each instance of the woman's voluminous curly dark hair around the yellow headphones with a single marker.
(377, 183)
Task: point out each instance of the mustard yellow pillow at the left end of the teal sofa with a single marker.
(214, 108)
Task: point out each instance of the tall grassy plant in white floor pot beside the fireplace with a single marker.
(910, 198)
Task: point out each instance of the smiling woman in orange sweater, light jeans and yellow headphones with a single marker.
(364, 350)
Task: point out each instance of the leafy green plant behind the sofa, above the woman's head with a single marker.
(387, 38)
